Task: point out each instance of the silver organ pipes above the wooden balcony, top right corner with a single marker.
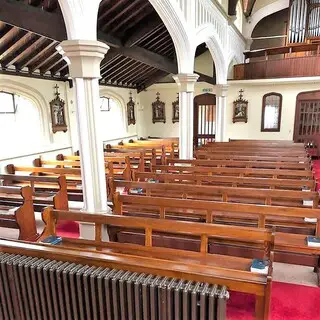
(304, 20)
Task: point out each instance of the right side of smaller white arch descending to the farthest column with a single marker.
(206, 33)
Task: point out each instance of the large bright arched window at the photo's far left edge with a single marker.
(20, 123)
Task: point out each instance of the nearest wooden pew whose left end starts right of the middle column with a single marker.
(234, 156)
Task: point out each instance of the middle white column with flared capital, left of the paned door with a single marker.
(186, 91)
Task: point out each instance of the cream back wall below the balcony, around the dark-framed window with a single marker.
(253, 92)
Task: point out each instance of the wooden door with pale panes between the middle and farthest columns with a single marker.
(204, 125)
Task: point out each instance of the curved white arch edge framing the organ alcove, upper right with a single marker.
(262, 13)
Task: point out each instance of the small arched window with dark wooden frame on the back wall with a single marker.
(271, 112)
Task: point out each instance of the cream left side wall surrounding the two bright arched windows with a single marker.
(41, 92)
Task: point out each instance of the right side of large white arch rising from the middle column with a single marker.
(180, 31)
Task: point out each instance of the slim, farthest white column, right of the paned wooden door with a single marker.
(221, 112)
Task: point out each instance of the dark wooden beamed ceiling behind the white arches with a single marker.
(141, 49)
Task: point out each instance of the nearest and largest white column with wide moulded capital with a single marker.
(85, 57)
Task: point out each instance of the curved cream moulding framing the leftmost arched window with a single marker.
(37, 98)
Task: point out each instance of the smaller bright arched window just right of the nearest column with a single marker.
(112, 117)
